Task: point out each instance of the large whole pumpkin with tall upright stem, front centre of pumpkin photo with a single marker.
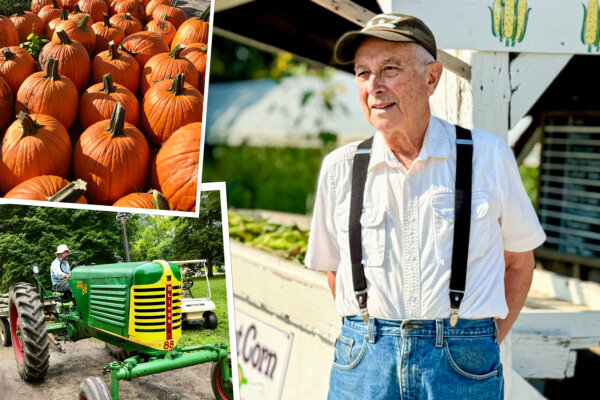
(112, 157)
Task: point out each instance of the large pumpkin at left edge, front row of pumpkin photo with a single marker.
(44, 141)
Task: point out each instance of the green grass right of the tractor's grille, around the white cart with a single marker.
(196, 335)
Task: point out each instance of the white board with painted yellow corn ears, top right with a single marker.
(539, 26)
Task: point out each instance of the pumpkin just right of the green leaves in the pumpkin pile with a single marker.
(73, 59)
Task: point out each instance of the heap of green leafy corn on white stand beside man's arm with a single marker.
(289, 242)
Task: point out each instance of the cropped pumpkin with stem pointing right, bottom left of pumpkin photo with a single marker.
(43, 188)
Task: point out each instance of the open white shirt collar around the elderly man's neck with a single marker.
(435, 144)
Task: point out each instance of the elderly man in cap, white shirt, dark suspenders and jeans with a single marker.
(425, 230)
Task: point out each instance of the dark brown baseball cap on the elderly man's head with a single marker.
(391, 27)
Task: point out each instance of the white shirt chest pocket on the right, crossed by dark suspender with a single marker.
(443, 221)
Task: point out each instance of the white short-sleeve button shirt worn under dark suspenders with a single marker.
(408, 226)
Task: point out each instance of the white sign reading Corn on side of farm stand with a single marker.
(263, 354)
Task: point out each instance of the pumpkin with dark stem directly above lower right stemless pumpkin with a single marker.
(169, 105)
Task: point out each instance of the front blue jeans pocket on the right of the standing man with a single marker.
(474, 357)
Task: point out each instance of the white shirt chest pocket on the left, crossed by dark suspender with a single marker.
(373, 231)
